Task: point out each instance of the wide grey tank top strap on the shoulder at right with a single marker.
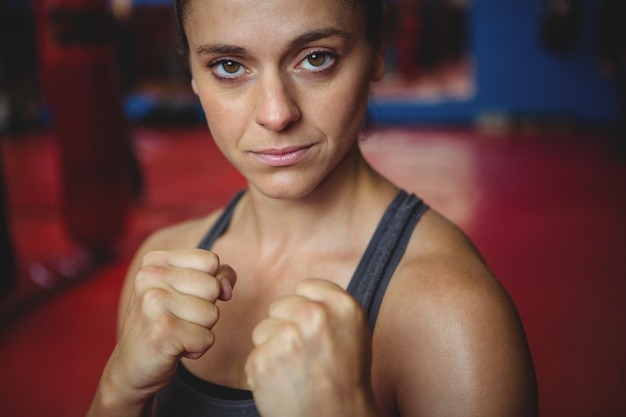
(384, 251)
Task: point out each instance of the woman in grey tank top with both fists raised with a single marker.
(312, 245)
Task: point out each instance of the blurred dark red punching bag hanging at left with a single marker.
(79, 80)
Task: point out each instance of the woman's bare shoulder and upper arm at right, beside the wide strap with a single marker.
(457, 344)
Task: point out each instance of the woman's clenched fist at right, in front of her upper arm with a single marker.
(312, 355)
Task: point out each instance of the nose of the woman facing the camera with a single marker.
(276, 107)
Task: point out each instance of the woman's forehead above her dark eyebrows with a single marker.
(267, 21)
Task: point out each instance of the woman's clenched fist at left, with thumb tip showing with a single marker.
(170, 314)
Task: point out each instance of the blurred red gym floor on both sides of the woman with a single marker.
(546, 209)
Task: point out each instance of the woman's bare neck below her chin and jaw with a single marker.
(350, 196)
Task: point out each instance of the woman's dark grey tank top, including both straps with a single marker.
(189, 396)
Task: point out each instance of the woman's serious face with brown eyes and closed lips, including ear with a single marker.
(283, 84)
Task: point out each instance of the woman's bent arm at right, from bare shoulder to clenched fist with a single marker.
(448, 342)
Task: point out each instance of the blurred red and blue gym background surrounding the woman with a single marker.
(506, 116)
